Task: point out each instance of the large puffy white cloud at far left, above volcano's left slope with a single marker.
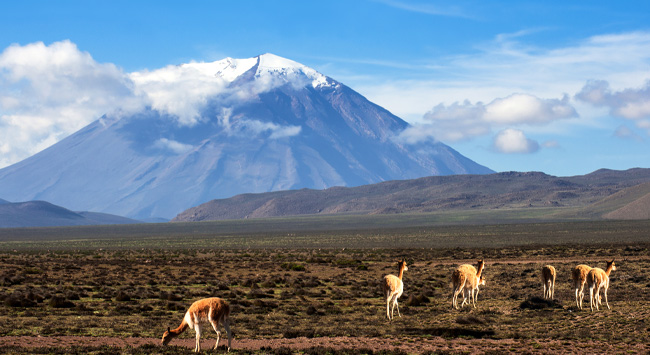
(48, 92)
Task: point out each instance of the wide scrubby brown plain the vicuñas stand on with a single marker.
(300, 287)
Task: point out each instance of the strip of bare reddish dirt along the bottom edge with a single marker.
(397, 344)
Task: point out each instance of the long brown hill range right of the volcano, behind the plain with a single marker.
(584, 196)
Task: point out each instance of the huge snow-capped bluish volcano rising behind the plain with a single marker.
(263, 124)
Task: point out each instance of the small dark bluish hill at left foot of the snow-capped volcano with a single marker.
(45, 214)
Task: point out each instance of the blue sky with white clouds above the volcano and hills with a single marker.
(553, 86)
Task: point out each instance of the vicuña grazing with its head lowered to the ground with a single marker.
(213, 310)
